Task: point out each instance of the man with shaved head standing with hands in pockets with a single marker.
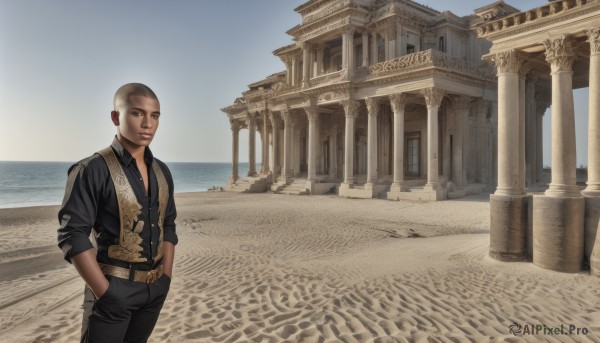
(124, 196)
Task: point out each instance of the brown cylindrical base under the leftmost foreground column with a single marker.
(508, 228)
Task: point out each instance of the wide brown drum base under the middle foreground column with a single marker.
(558, 233)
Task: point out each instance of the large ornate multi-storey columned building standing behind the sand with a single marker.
(379, 98)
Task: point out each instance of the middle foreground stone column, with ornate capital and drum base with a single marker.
(558, 217)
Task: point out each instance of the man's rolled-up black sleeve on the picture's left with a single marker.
(78, 213)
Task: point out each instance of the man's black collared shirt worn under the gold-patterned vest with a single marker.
(90, 202)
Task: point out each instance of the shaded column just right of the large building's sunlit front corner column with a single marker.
(461, 104)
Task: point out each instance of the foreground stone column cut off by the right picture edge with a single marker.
(592, 191)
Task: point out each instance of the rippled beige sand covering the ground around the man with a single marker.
(277, 268)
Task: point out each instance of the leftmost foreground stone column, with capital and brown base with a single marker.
(508, 205)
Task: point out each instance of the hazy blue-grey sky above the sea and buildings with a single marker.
(62, 60)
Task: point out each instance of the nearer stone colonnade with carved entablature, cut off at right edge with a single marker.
(542, 55)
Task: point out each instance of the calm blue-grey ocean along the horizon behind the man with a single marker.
(24, 184)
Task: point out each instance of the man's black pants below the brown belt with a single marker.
(127, 312)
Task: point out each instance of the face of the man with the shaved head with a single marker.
(137, 120)
